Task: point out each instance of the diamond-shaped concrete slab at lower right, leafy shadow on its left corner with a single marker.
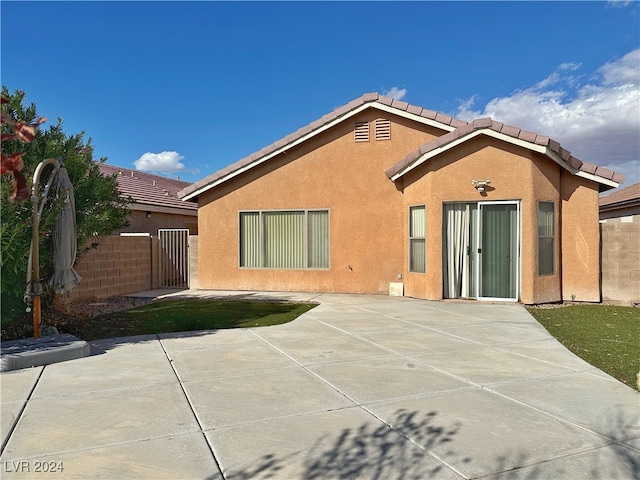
(479, 433)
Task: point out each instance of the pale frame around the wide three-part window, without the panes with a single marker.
(262, 239)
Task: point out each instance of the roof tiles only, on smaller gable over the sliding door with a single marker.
(553, 148)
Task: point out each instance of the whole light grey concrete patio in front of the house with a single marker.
(367, 387)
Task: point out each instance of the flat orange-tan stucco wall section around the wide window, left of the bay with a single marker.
(330, 171)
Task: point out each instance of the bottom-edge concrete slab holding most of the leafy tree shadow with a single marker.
(332, 445)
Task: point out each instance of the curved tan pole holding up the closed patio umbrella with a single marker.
(34, 287)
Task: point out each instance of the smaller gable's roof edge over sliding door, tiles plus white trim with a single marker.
(532, 141)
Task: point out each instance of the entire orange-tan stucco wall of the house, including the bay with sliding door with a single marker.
(369, 213)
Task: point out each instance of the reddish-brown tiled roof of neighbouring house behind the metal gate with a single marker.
(150, 192)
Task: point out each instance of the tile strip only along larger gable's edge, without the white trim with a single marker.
(371, 97)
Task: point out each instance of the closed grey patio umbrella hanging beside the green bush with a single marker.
(64, 236)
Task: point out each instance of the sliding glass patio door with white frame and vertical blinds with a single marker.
(481, 250)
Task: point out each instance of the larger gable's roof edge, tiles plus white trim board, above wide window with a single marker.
(369, 100)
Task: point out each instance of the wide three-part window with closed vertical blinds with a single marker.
(284, 239)
